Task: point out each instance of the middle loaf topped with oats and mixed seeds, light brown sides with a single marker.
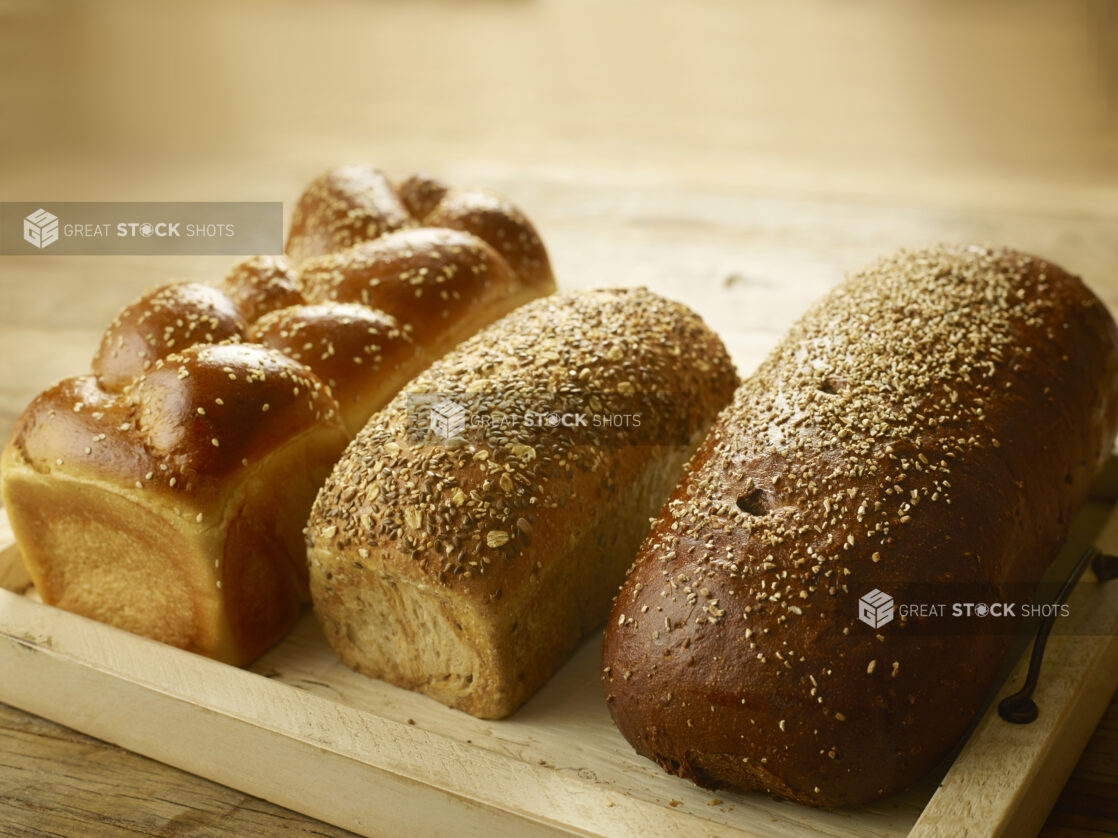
(469, 564)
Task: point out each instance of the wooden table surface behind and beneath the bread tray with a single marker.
(740, 153)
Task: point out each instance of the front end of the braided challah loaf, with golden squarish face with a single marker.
(174, 509)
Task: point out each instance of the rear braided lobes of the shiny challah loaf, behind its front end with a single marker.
(463, 260)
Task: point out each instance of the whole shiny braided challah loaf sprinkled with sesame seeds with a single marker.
(167, 492)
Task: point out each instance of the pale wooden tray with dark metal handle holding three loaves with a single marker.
(304, 731)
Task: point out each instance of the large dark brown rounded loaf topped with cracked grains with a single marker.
(932, 424)
